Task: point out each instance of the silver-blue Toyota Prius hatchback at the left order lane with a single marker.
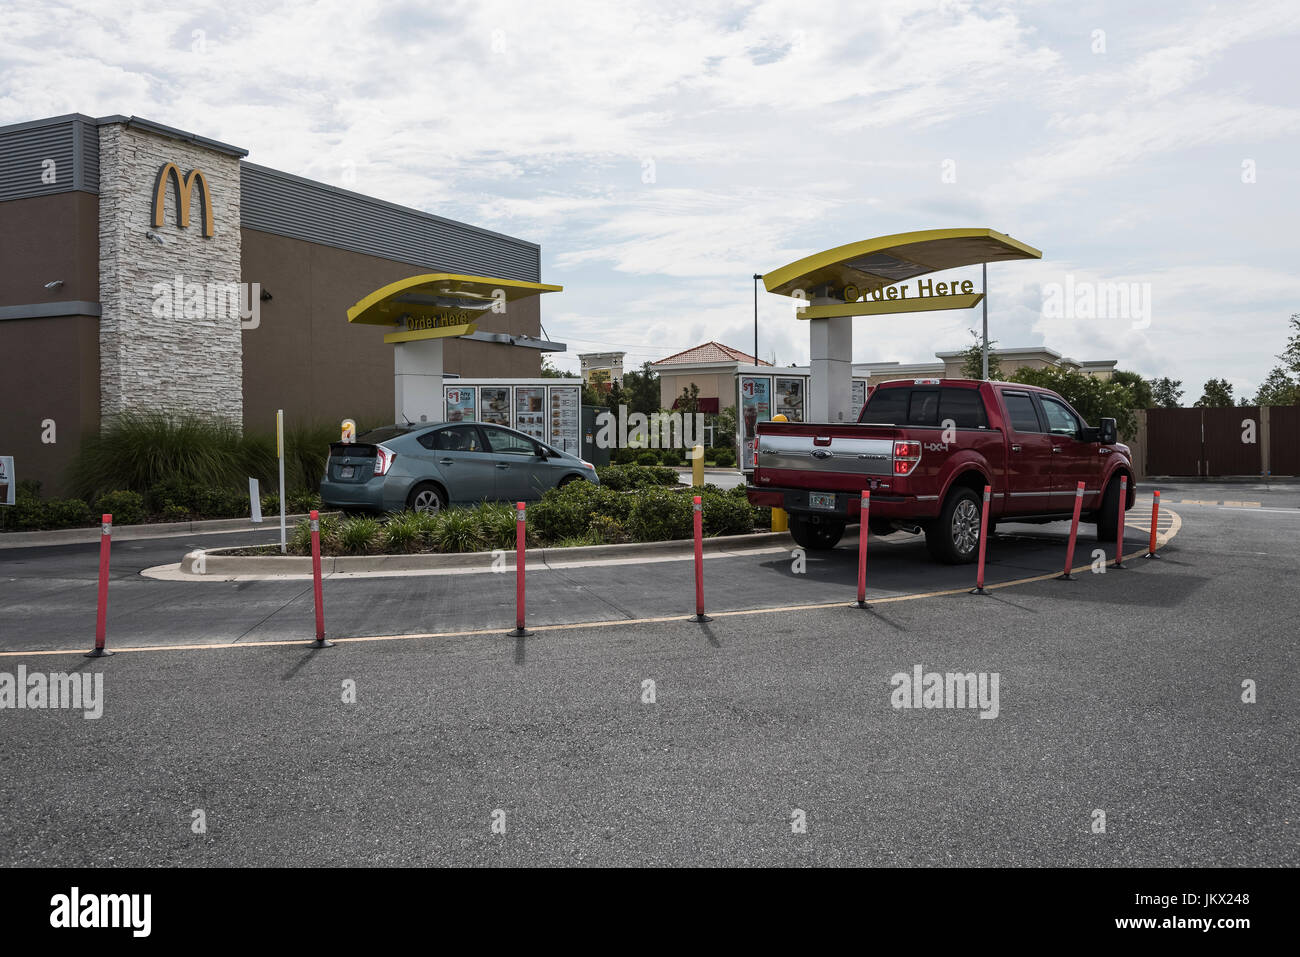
(428, 467)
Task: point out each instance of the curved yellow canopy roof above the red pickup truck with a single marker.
(889, 259)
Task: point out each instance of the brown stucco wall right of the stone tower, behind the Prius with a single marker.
(307, 360)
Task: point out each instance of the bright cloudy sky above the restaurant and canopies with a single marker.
(665, 153)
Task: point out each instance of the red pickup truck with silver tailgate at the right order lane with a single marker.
(926, 449)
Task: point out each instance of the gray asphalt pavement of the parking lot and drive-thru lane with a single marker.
(1119, 694)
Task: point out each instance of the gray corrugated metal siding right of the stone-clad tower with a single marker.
(289, 206)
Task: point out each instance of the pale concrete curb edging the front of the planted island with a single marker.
(218, 565)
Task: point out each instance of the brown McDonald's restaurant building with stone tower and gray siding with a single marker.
(149, 269)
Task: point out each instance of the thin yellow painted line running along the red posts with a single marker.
(612, 623)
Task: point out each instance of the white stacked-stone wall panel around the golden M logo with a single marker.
(172, 365)
